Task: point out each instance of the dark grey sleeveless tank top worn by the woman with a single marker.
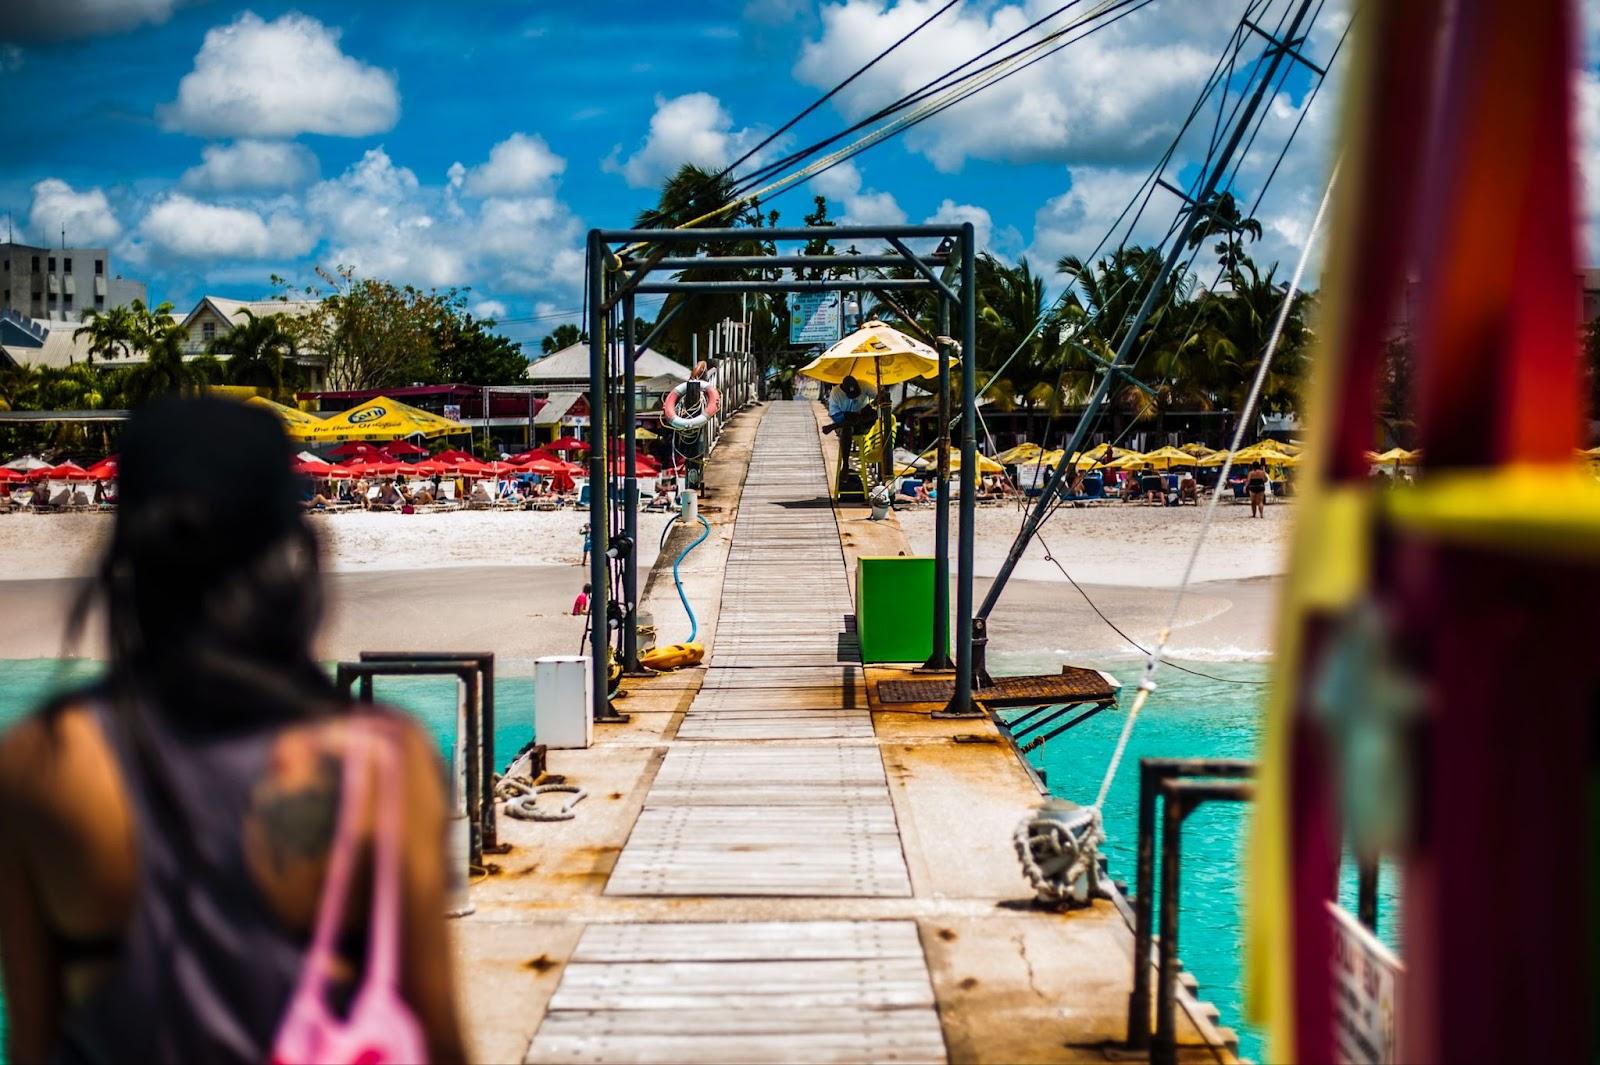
(206, 968)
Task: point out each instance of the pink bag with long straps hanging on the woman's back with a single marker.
(380, 1027)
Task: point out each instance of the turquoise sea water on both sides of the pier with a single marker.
(1188, 717)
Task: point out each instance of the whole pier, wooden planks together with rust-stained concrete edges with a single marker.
(775, 868)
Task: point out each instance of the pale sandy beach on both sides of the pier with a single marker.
(506, 581)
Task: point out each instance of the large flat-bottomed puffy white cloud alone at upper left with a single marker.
(255, 79)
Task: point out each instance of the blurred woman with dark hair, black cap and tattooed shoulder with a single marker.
(167, 834)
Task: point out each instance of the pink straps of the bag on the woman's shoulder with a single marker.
(383, 952)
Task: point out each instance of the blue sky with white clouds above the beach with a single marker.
(214, 145)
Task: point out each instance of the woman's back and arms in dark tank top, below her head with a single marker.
(178, 901)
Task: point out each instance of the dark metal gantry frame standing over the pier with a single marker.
(617, 277)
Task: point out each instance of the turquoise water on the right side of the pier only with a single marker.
(1188, 717)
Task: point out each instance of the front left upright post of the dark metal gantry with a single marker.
(599, 485)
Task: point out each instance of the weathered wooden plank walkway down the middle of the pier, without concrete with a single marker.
(770, 789)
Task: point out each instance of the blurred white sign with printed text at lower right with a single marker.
(1366, 994)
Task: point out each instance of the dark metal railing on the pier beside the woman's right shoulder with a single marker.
(474, 744)
